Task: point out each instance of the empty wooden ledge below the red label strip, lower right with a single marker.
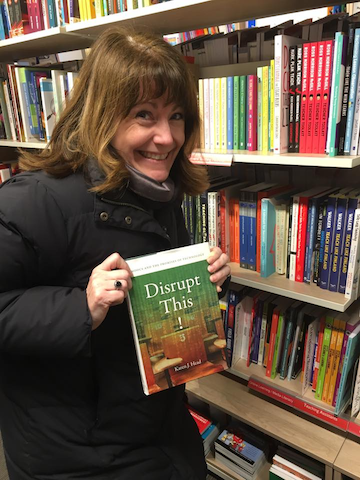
(236, 400)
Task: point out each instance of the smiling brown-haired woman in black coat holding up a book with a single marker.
(108, 188)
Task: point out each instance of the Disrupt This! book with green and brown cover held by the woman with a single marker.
(176, 319)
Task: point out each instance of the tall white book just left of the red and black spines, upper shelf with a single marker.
(282, 43)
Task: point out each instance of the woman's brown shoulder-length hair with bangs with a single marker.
(123, 68)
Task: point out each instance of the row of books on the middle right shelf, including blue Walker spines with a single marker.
(310, 236)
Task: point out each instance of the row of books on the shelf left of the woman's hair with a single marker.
(31, 100)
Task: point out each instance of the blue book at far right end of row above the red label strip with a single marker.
(345, 387)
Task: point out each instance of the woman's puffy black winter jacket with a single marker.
(71, 400)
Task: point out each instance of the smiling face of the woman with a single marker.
(150, 137)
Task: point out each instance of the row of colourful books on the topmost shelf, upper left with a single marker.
(22, 17)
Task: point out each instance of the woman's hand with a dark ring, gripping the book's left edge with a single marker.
(102, 291)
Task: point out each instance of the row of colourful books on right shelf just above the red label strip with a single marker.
(291, 339)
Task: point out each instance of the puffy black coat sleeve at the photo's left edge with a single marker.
(38, 316)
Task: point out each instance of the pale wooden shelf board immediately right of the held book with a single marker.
(280, 285)
